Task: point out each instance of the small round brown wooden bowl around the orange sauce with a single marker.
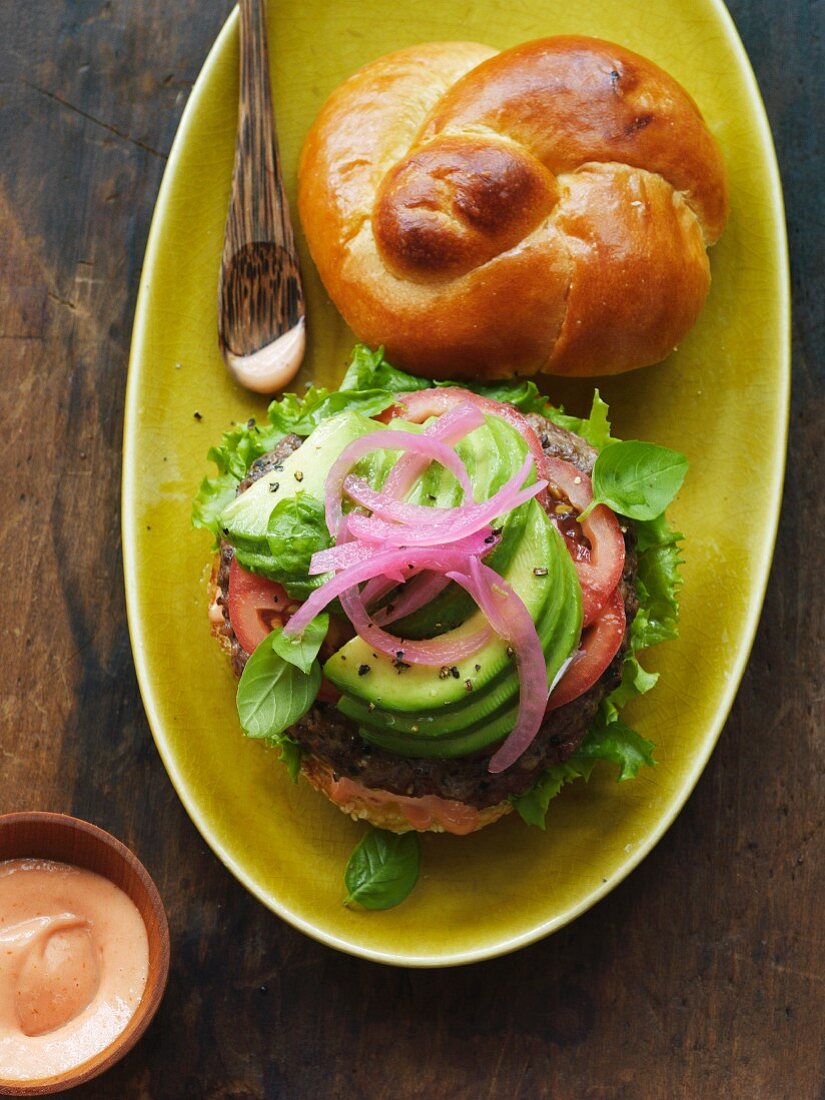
(72, 841)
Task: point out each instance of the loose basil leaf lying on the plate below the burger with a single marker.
(383, 870)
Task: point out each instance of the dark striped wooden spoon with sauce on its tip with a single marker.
(261, 327)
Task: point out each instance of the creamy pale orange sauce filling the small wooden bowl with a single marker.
(74, 960)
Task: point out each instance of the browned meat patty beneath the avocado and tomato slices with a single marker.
(328, 735)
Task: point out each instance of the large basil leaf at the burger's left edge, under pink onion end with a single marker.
(273, 694)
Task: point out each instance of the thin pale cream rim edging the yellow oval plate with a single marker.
(492, 950)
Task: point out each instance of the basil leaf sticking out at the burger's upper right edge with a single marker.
(637, 480)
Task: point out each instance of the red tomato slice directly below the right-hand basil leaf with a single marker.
(600, 568)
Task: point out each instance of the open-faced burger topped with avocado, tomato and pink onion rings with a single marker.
(435, 596)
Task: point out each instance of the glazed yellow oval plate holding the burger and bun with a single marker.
(722, 399)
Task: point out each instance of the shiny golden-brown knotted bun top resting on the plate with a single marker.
(544, 208)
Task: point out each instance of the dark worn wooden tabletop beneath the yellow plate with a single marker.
(701, 975)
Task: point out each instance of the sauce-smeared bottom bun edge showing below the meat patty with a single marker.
(398, 812)
